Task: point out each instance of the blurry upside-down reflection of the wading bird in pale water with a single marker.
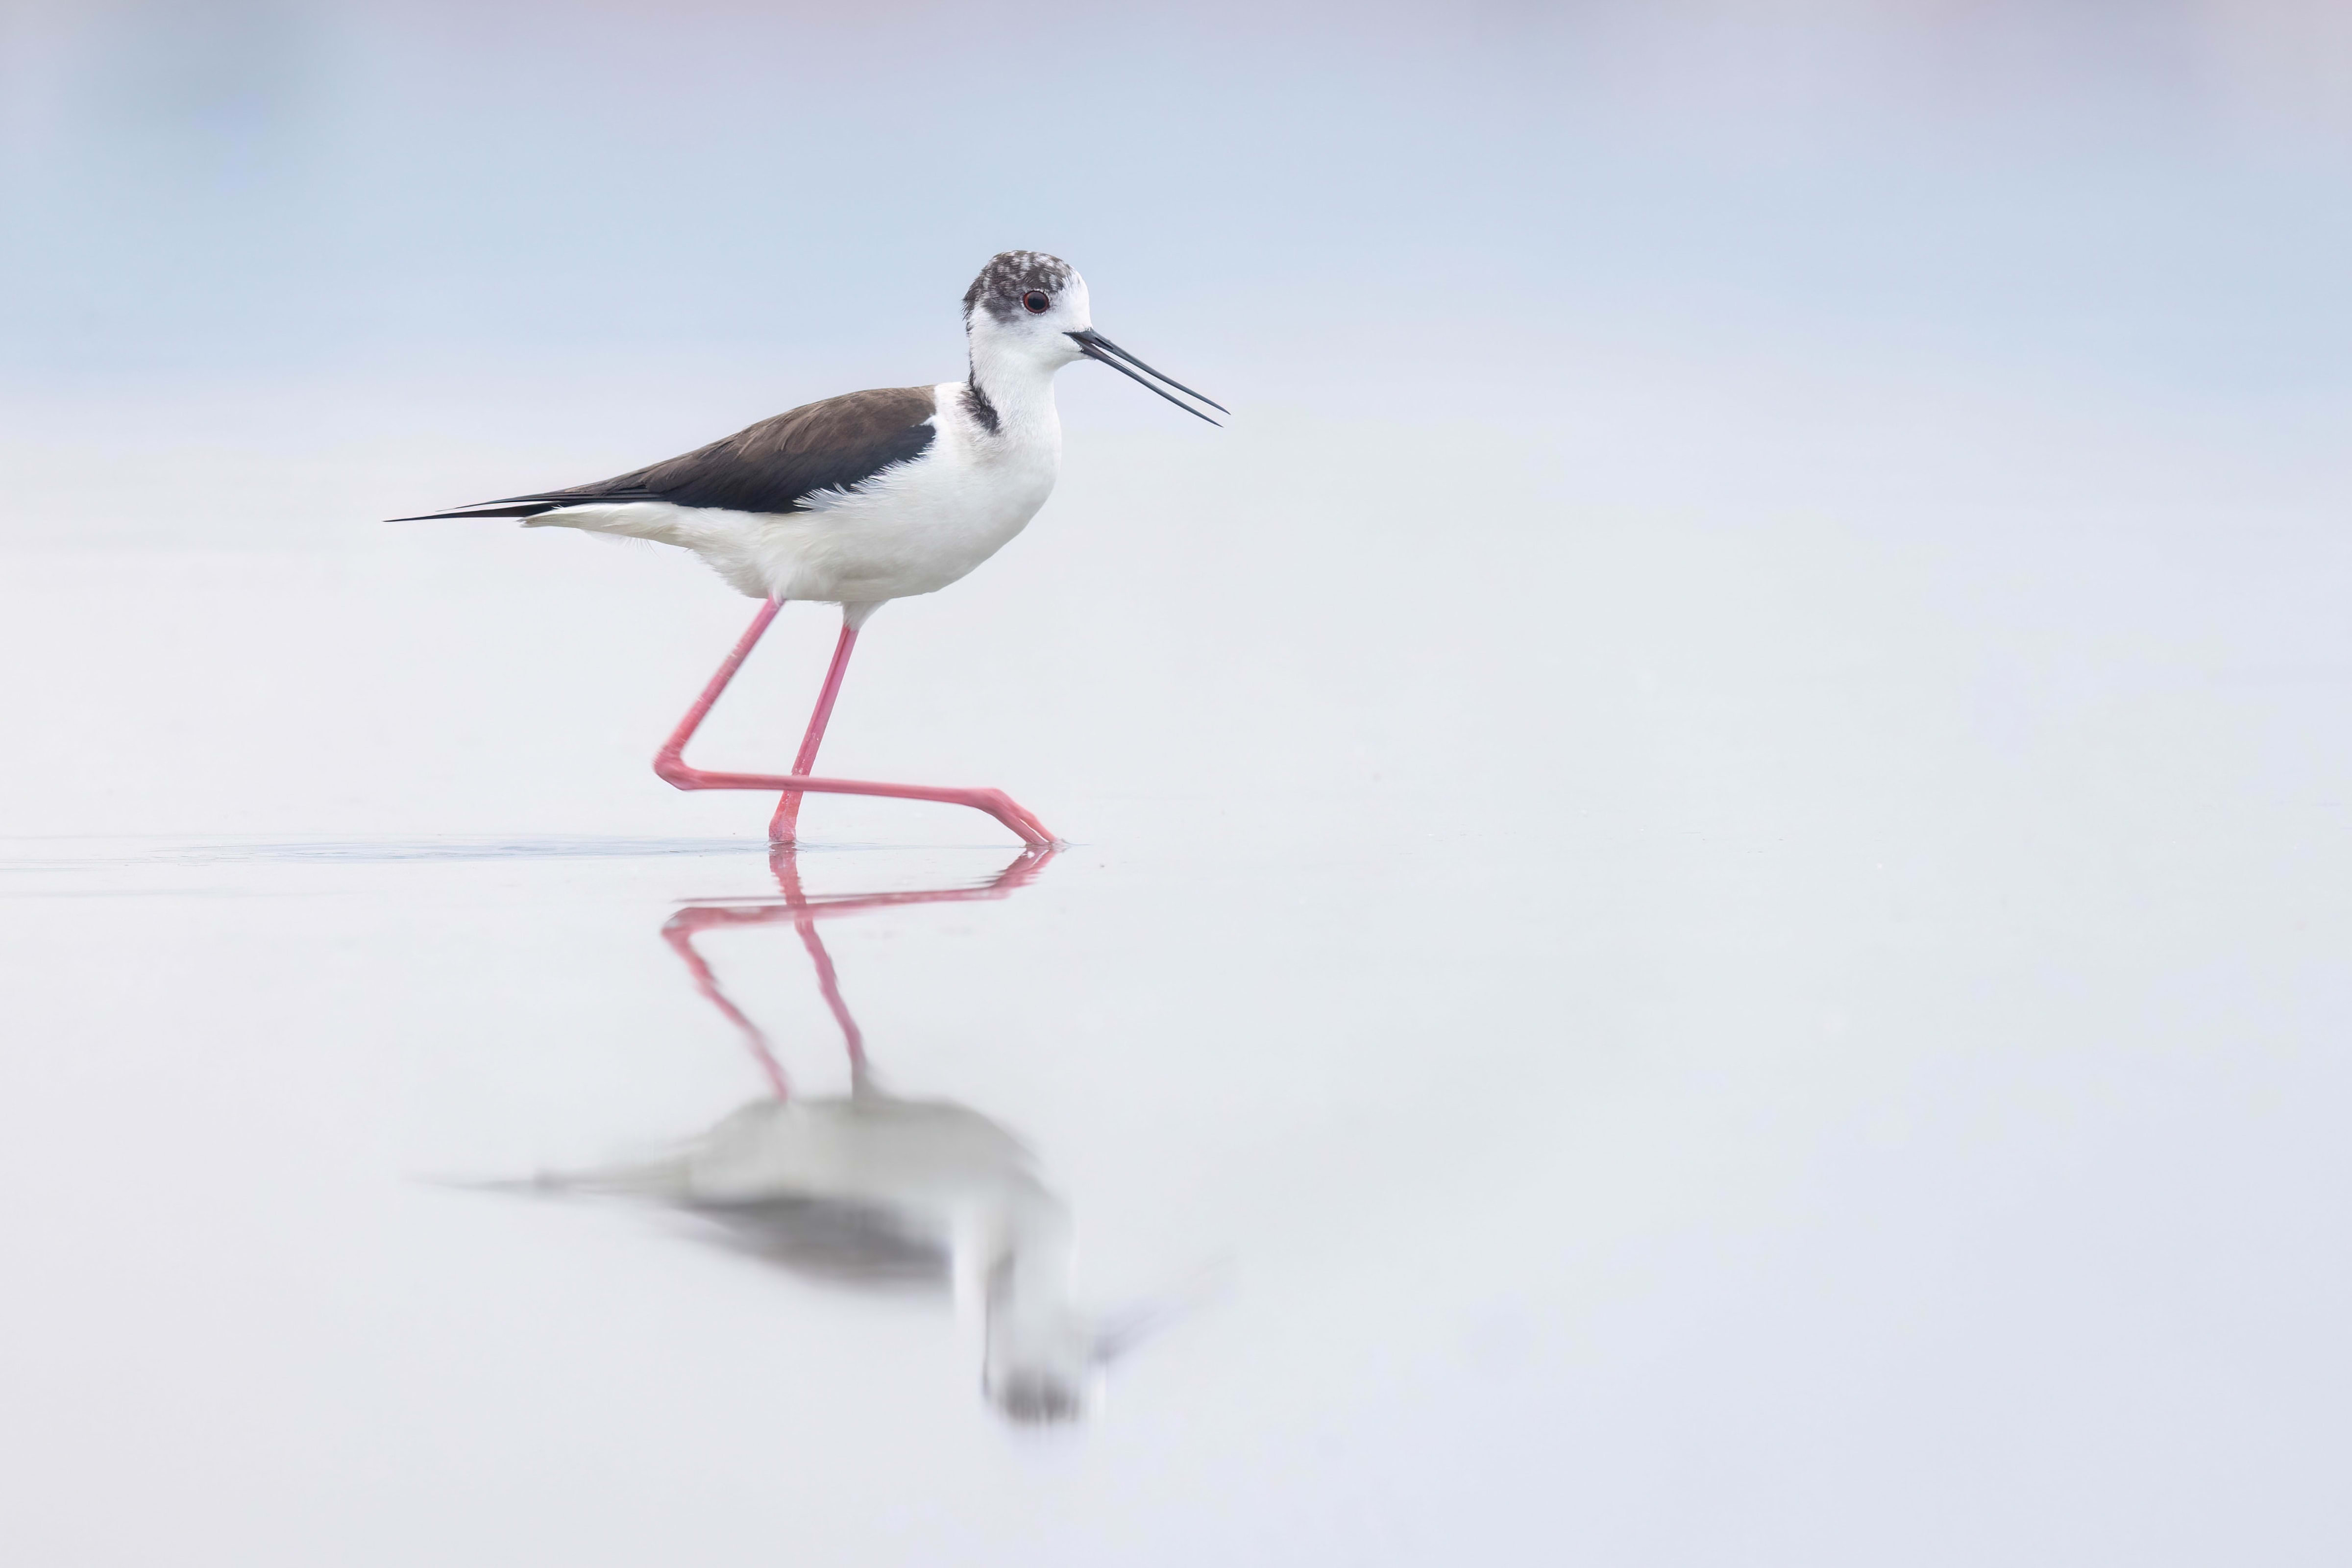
(883, 1191)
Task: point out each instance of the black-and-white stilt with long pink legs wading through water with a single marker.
(867, 500)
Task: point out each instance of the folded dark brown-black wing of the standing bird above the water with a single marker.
(773, 467)
